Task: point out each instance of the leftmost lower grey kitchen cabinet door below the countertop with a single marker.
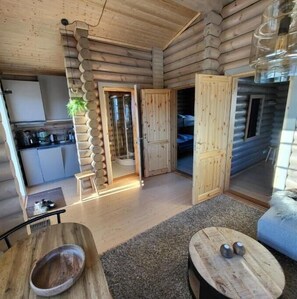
(30, 161)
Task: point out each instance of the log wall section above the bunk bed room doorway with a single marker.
(194, 51)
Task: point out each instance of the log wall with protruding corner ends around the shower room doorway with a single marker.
(88, 62)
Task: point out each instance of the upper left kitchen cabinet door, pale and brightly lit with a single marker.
(25, 102)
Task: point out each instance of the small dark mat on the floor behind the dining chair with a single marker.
(56, 195)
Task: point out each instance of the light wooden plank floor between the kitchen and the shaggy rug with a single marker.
(118, 216)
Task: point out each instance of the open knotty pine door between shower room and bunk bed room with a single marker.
(156, 131)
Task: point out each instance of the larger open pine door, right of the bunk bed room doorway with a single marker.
(212, 117)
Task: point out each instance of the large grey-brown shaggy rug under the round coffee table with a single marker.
(154, 263)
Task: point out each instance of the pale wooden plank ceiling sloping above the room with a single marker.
(30, 30)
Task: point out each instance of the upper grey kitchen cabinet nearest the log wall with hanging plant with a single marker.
(55, 96)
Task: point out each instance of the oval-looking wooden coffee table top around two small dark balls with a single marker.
(257, 274)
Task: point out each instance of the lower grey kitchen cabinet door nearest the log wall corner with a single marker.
(70, 159)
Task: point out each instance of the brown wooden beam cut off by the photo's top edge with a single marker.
(203, 6)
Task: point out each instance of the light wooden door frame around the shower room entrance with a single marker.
(119, 87)
